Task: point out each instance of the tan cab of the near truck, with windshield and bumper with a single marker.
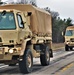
(13, 29)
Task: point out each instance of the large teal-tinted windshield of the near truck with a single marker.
(7, 21)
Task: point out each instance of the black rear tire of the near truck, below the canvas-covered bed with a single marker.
(45, 57)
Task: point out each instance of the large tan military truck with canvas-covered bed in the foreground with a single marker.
(25, 32)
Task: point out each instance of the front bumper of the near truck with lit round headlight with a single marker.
(7, 54)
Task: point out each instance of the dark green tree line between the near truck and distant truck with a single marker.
(58, 26)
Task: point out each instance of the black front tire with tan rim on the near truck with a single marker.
(26, 64)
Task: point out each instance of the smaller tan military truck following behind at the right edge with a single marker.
(69, 38)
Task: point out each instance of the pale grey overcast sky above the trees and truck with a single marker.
(65, 8)
